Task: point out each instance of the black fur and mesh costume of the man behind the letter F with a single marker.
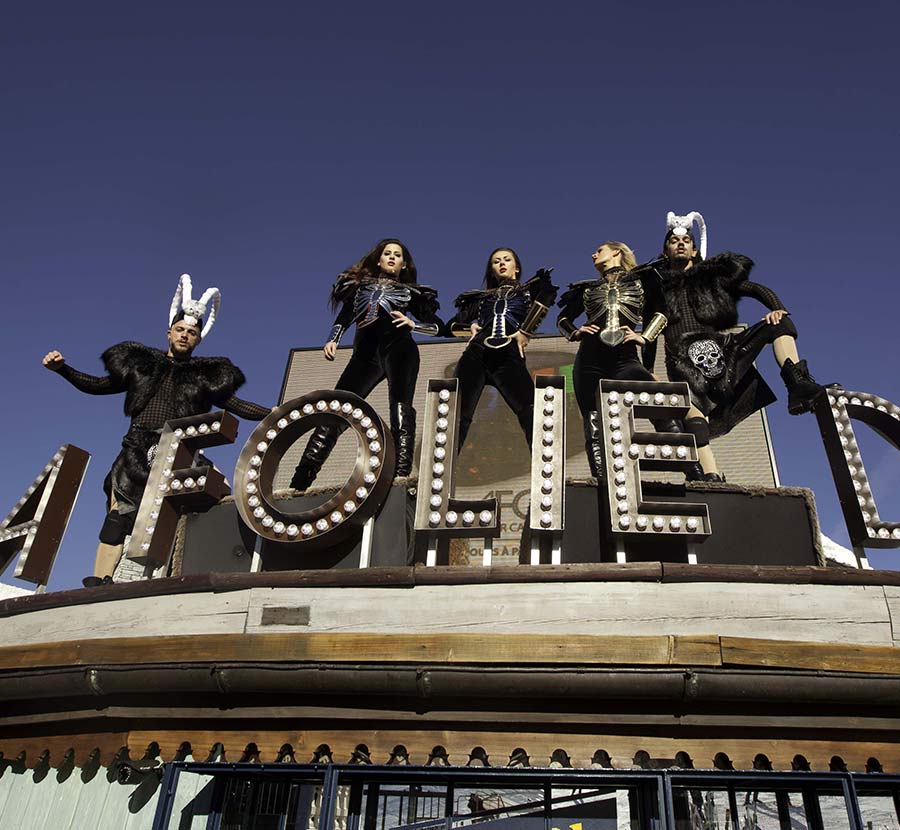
(157, 389)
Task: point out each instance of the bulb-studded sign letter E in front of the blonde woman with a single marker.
(627, 452)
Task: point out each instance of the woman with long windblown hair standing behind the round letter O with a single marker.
(375, 294)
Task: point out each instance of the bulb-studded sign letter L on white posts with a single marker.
(438, 513)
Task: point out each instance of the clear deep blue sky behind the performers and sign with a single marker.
(264, 147)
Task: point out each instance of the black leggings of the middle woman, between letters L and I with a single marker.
(505, 370)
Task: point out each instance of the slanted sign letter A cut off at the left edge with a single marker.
(36, 525)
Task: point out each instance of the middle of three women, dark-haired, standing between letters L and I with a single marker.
(500, 319)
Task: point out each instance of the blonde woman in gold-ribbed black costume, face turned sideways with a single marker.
(607, 344)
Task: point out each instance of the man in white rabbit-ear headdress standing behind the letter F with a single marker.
(158, 386)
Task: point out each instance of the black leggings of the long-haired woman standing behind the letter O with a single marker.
(382, 351)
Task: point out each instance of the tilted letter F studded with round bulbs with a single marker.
(178, 481)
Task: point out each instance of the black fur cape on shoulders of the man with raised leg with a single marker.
(711, 288)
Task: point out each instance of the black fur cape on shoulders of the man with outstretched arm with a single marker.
(200, 382)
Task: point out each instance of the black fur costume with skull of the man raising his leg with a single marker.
(701, 302)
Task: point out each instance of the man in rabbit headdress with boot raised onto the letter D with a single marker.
(701, 299)
